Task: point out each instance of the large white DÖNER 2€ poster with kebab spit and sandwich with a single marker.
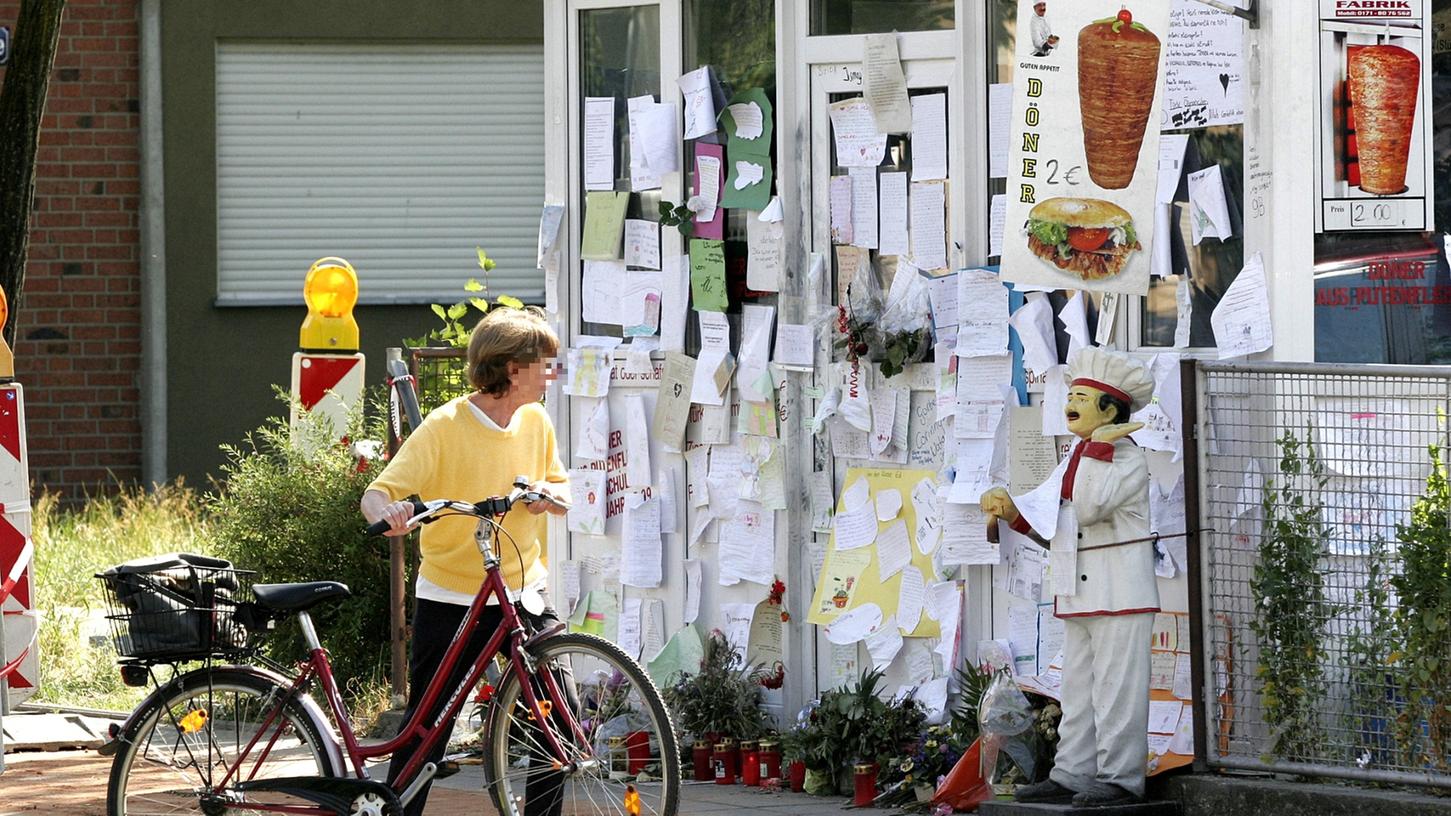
(1085, 144)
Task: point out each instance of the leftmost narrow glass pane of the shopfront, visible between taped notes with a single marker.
(620, 59)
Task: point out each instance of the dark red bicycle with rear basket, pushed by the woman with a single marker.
(572, 714)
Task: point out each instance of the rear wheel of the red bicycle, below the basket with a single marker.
(194, 734)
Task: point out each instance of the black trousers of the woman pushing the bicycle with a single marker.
(435, 628)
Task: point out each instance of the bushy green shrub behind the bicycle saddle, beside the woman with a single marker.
(288, 507)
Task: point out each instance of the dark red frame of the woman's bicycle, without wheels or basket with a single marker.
(510, 634)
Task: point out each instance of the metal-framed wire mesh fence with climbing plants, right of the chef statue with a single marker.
(1327, 589)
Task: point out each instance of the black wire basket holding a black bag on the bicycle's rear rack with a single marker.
(176, 608)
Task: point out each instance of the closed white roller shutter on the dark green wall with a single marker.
(401, 159)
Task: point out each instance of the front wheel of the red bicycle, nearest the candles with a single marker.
(620, 746)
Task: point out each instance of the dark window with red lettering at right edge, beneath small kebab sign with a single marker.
(1386, 297)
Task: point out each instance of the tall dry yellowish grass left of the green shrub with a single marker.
(72, 545)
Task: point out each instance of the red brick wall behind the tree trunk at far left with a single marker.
(79, 349)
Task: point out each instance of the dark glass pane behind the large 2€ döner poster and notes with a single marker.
(1209, 266)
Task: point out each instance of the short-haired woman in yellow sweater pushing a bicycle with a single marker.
(471, 449)
